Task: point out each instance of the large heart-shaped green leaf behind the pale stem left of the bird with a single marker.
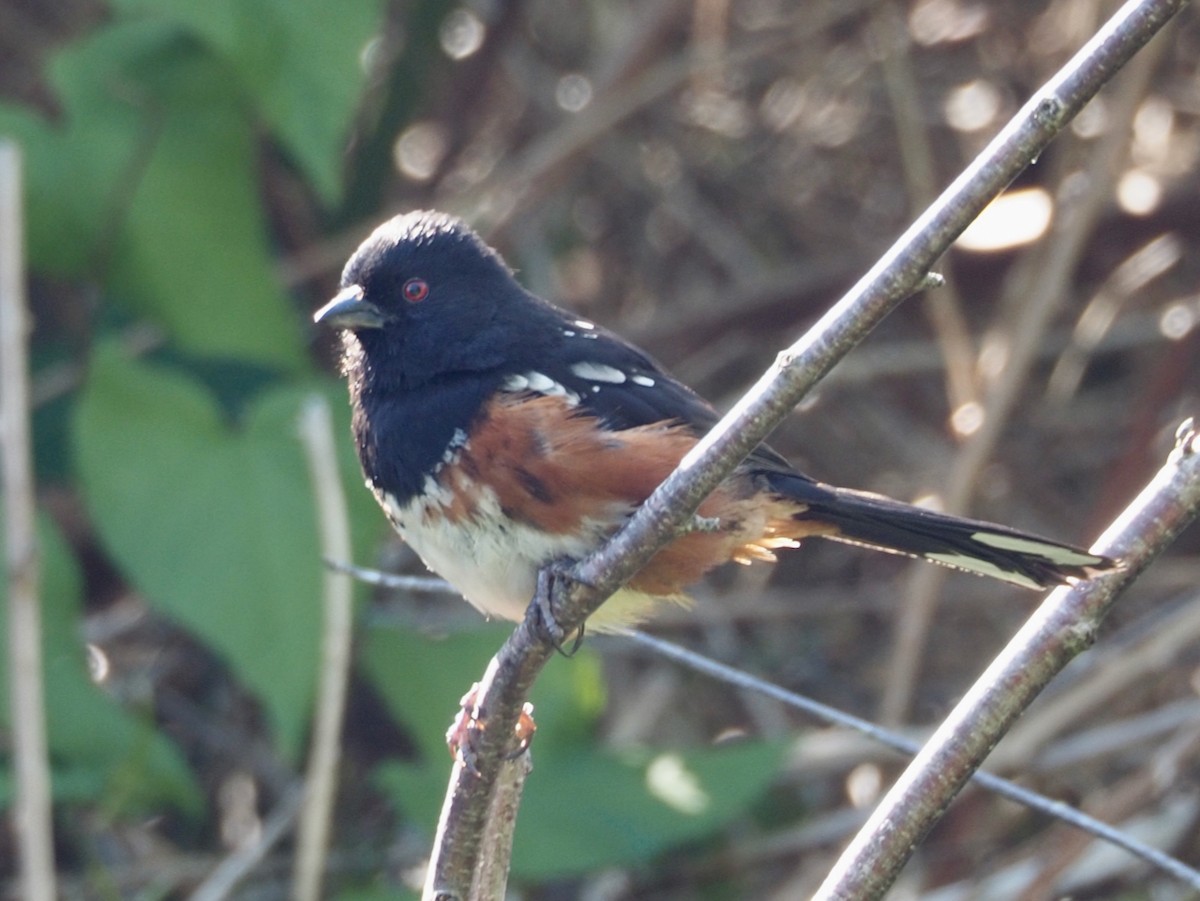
(215, 525)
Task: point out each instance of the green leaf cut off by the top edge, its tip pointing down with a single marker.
(299, 62)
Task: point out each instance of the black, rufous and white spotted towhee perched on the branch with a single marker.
(501, 434)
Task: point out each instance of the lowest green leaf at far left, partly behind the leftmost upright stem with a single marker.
(100, 752)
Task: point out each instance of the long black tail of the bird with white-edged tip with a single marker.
(986, 549)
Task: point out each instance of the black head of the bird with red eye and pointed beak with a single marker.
(425, 298)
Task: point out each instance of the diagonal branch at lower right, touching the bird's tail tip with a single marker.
(1063, 628)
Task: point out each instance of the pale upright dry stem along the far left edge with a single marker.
(32, 812)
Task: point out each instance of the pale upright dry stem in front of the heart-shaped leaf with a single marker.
(321, 780)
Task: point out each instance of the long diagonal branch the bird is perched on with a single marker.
(796, 371)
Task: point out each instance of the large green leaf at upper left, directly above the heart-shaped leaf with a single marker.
(152, 179)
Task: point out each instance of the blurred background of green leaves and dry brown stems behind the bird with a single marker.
(705, 177)
